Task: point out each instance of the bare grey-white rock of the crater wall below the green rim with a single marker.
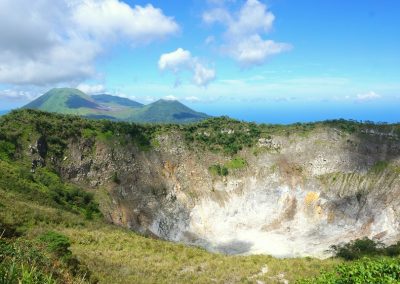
(296, 196)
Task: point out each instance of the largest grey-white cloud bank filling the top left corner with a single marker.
(49, 42)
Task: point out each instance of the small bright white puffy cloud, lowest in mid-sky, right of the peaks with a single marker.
(182, 60)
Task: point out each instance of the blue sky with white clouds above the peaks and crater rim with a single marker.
(277, 61)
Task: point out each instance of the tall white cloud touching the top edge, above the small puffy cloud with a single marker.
(243, 35)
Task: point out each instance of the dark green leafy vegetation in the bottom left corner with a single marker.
(46, 259)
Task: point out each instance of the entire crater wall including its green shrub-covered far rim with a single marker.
(231, 187)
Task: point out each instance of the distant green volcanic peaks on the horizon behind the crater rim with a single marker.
(104, 106)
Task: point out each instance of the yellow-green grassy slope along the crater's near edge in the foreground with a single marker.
(119, 256)
